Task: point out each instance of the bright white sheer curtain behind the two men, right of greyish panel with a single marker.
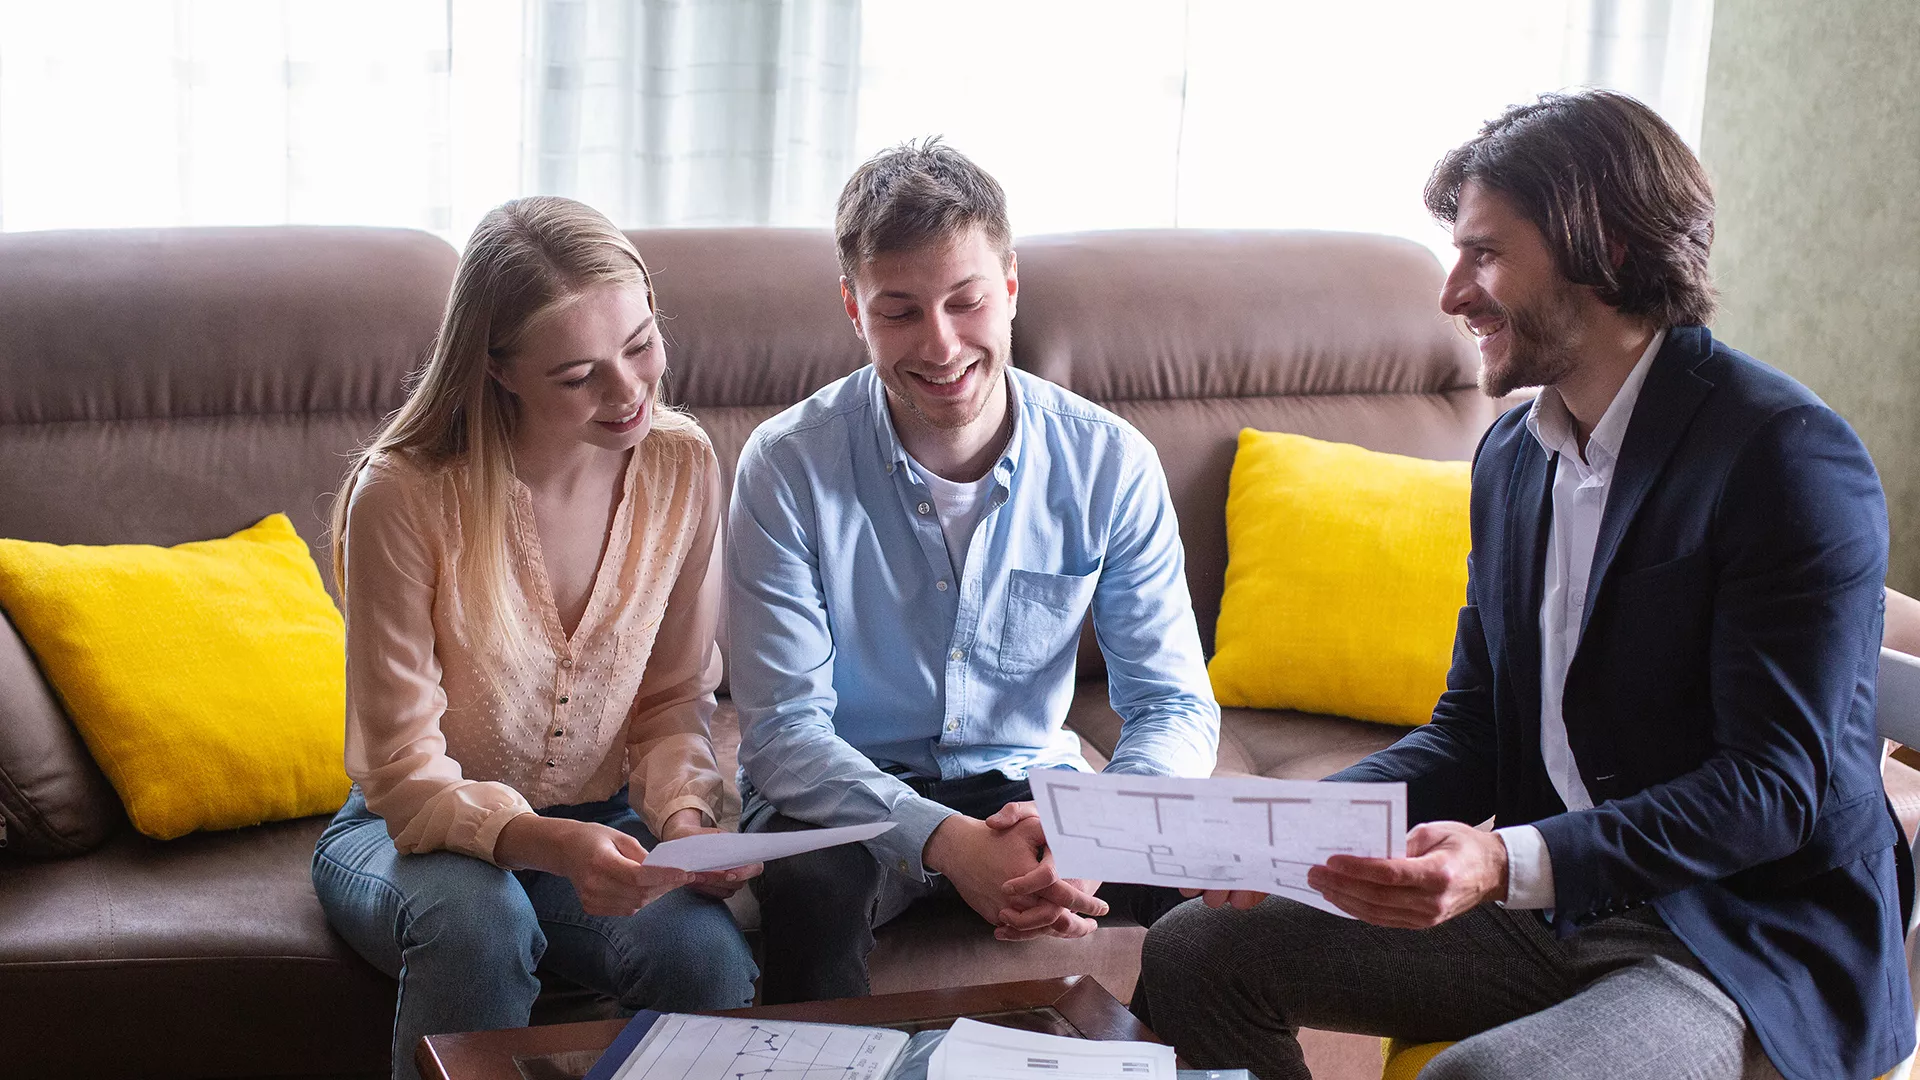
(1111, 114)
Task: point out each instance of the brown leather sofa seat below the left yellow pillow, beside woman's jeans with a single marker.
(204, 956)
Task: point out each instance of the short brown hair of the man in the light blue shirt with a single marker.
(917, 195)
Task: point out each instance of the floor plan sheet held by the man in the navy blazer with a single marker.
(1230, 833)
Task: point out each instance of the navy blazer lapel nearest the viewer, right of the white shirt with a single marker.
(1662, 416)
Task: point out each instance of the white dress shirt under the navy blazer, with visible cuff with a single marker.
(1581, 485)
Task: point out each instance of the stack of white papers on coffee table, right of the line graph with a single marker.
(988, 1052)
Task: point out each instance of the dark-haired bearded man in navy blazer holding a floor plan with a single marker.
(1662, 689)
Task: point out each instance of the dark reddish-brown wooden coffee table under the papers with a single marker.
(1074, 1006)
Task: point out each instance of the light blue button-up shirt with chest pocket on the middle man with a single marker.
(857, 656)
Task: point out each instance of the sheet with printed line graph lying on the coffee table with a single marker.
(725, 1048)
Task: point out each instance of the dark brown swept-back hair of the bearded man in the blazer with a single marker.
(1598, 170)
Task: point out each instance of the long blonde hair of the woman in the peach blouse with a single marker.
(525, 260)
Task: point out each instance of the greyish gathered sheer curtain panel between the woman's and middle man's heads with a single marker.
(696, 112)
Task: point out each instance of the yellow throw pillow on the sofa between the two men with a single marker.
(1345, 579)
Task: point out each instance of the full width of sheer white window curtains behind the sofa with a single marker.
(1095, 114)
